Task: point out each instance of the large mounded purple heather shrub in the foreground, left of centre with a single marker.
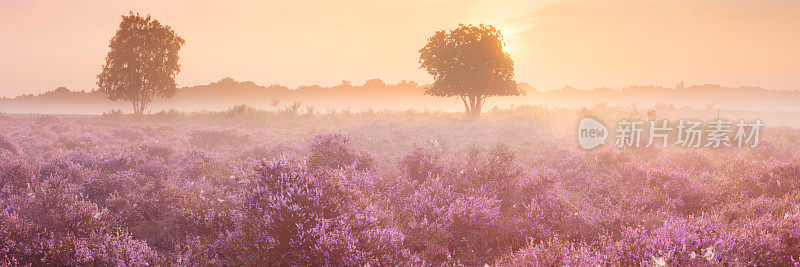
(292, 217)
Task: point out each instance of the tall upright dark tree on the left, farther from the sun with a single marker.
(142, 62)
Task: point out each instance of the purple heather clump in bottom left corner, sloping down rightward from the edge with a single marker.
(49, 223)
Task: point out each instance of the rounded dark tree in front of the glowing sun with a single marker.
(469, 62)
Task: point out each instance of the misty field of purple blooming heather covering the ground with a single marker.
(248, 187)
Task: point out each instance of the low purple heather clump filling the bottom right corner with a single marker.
(706, 240)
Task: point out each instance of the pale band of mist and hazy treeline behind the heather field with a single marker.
(693, 101)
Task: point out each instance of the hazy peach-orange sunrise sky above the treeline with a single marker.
(556, 43)
